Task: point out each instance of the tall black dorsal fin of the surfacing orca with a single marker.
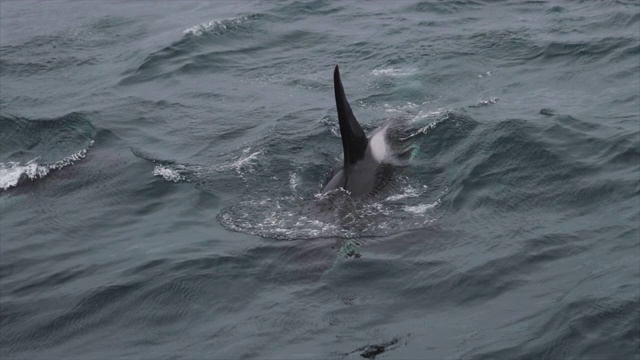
(354, 141)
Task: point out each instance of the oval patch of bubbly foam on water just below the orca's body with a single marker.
(329, 215)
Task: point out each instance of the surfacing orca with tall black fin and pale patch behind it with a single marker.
(366, 166)
